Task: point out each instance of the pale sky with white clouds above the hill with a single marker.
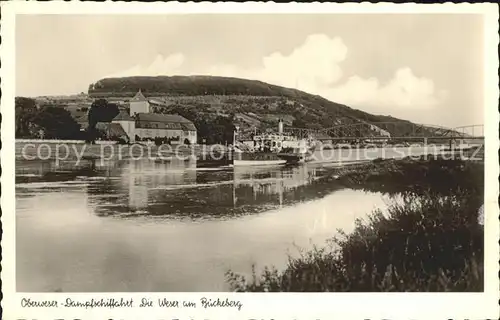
(426, 68)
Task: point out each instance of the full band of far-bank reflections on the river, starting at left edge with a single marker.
(172, 189)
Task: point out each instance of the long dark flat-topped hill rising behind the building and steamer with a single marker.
(253, 104)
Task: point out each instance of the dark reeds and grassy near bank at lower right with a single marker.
(429, 239)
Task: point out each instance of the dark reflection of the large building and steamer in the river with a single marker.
(182, 190)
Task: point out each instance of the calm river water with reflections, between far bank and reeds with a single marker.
(143, 225)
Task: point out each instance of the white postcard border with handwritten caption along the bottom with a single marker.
(271, 305)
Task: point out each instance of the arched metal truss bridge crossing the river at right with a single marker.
(395, 131)
